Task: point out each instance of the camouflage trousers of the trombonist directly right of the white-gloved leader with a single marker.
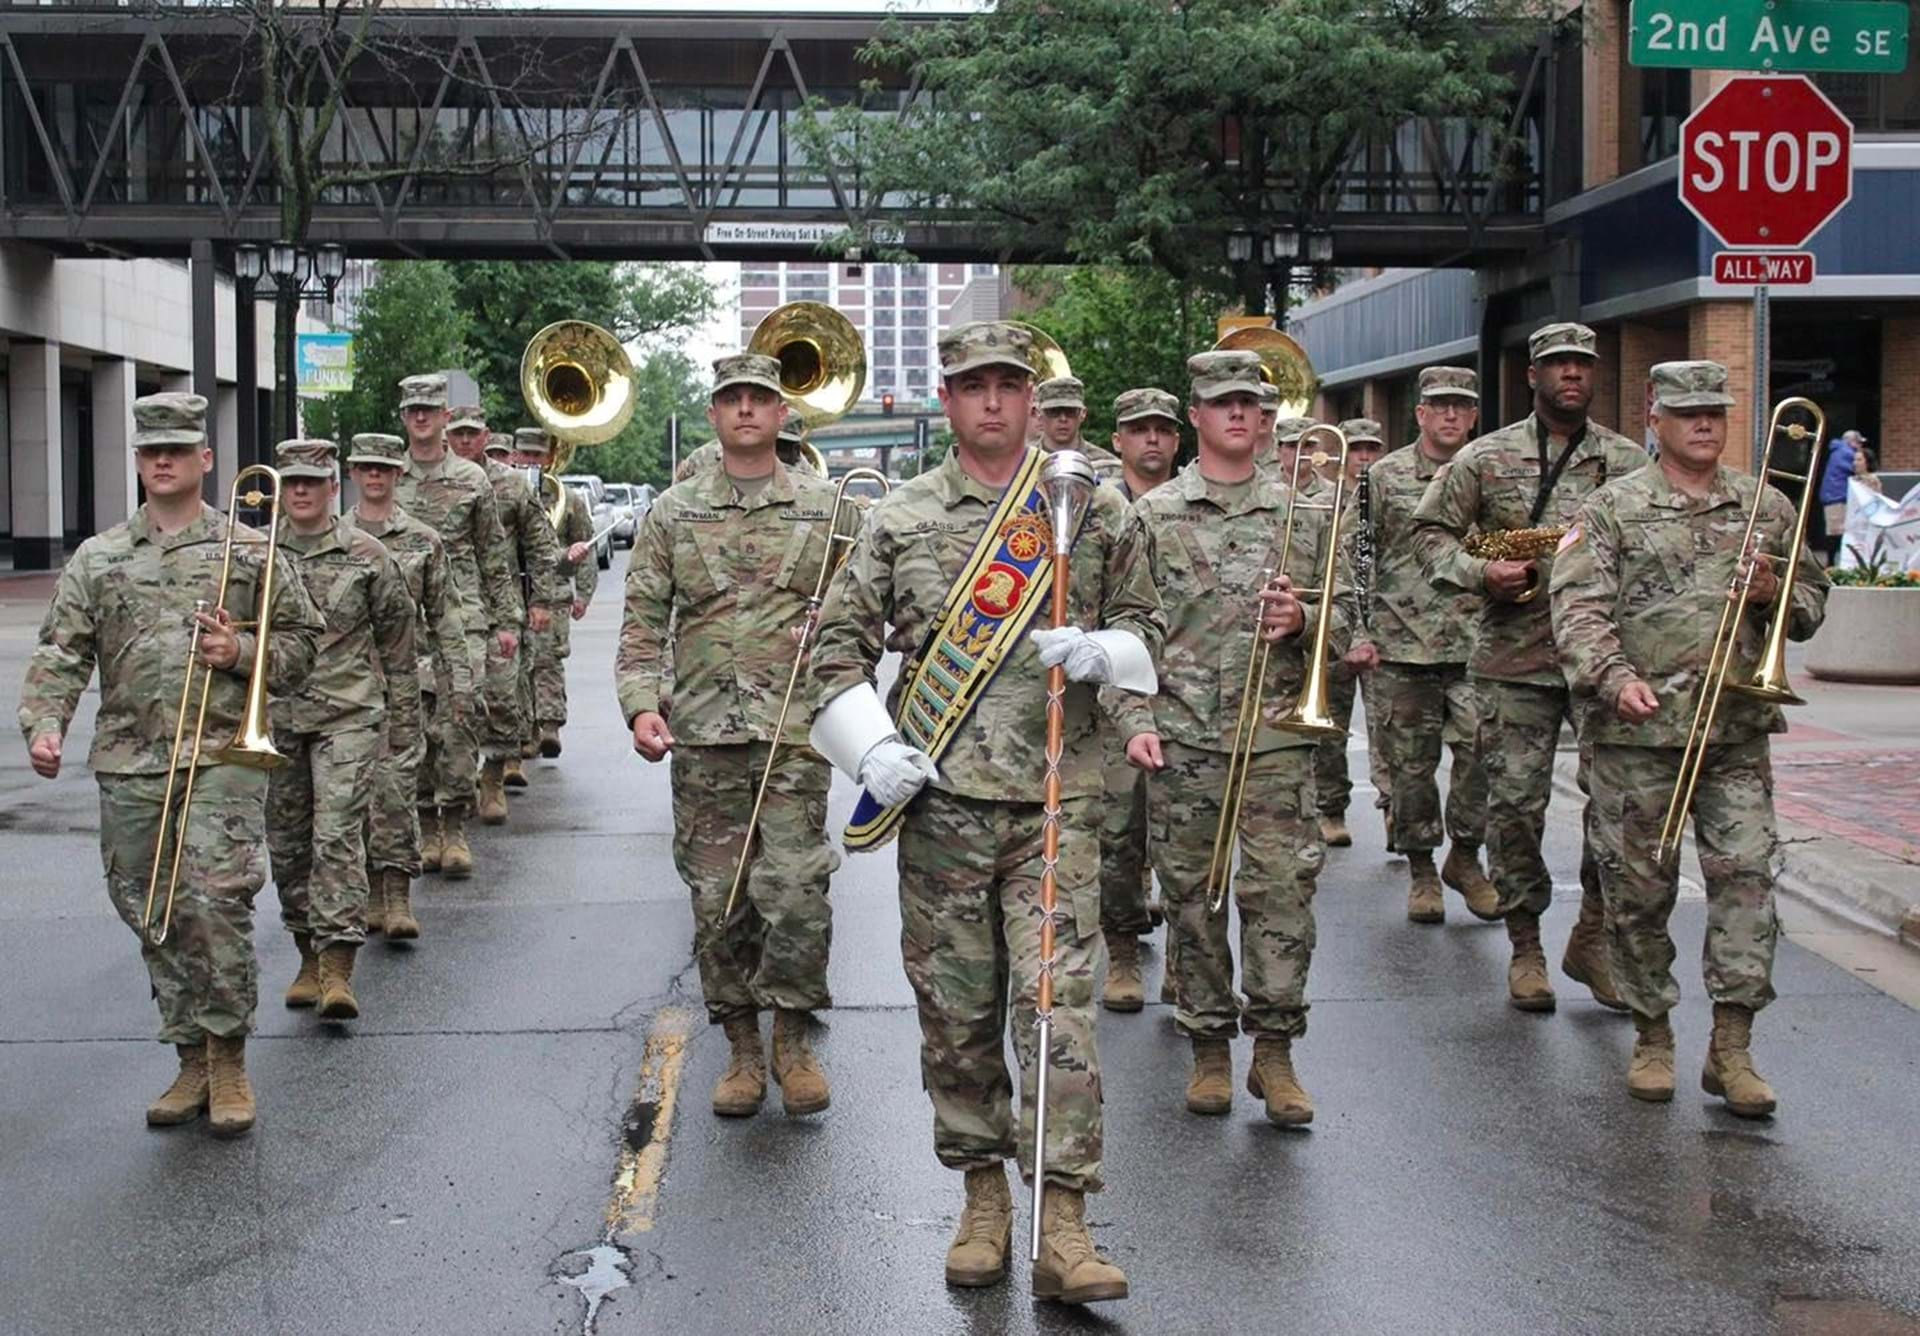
(1282, 857)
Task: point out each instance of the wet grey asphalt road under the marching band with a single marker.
(448, 1162)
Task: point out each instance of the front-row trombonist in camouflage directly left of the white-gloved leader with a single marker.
(721, 575)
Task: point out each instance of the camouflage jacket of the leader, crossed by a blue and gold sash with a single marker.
(890, 594)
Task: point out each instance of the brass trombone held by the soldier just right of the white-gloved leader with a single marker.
(1312, 711)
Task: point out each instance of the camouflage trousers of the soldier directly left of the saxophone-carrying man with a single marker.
(1431, 705)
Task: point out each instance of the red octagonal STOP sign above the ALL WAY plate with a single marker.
(1765, 162)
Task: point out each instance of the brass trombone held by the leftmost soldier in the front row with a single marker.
(252, 744)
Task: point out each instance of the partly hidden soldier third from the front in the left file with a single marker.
(443, 673)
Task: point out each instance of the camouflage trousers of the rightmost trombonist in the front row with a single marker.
(1735, 826)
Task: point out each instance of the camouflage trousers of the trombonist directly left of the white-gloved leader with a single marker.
(775, 951)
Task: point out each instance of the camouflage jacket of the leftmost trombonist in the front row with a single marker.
(126, 602)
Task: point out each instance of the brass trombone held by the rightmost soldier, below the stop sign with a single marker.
(1769, 679)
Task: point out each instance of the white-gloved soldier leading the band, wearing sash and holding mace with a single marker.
(972, 840)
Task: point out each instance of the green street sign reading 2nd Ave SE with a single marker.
(1858, 37)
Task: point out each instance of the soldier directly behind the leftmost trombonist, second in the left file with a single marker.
(362, 694)
